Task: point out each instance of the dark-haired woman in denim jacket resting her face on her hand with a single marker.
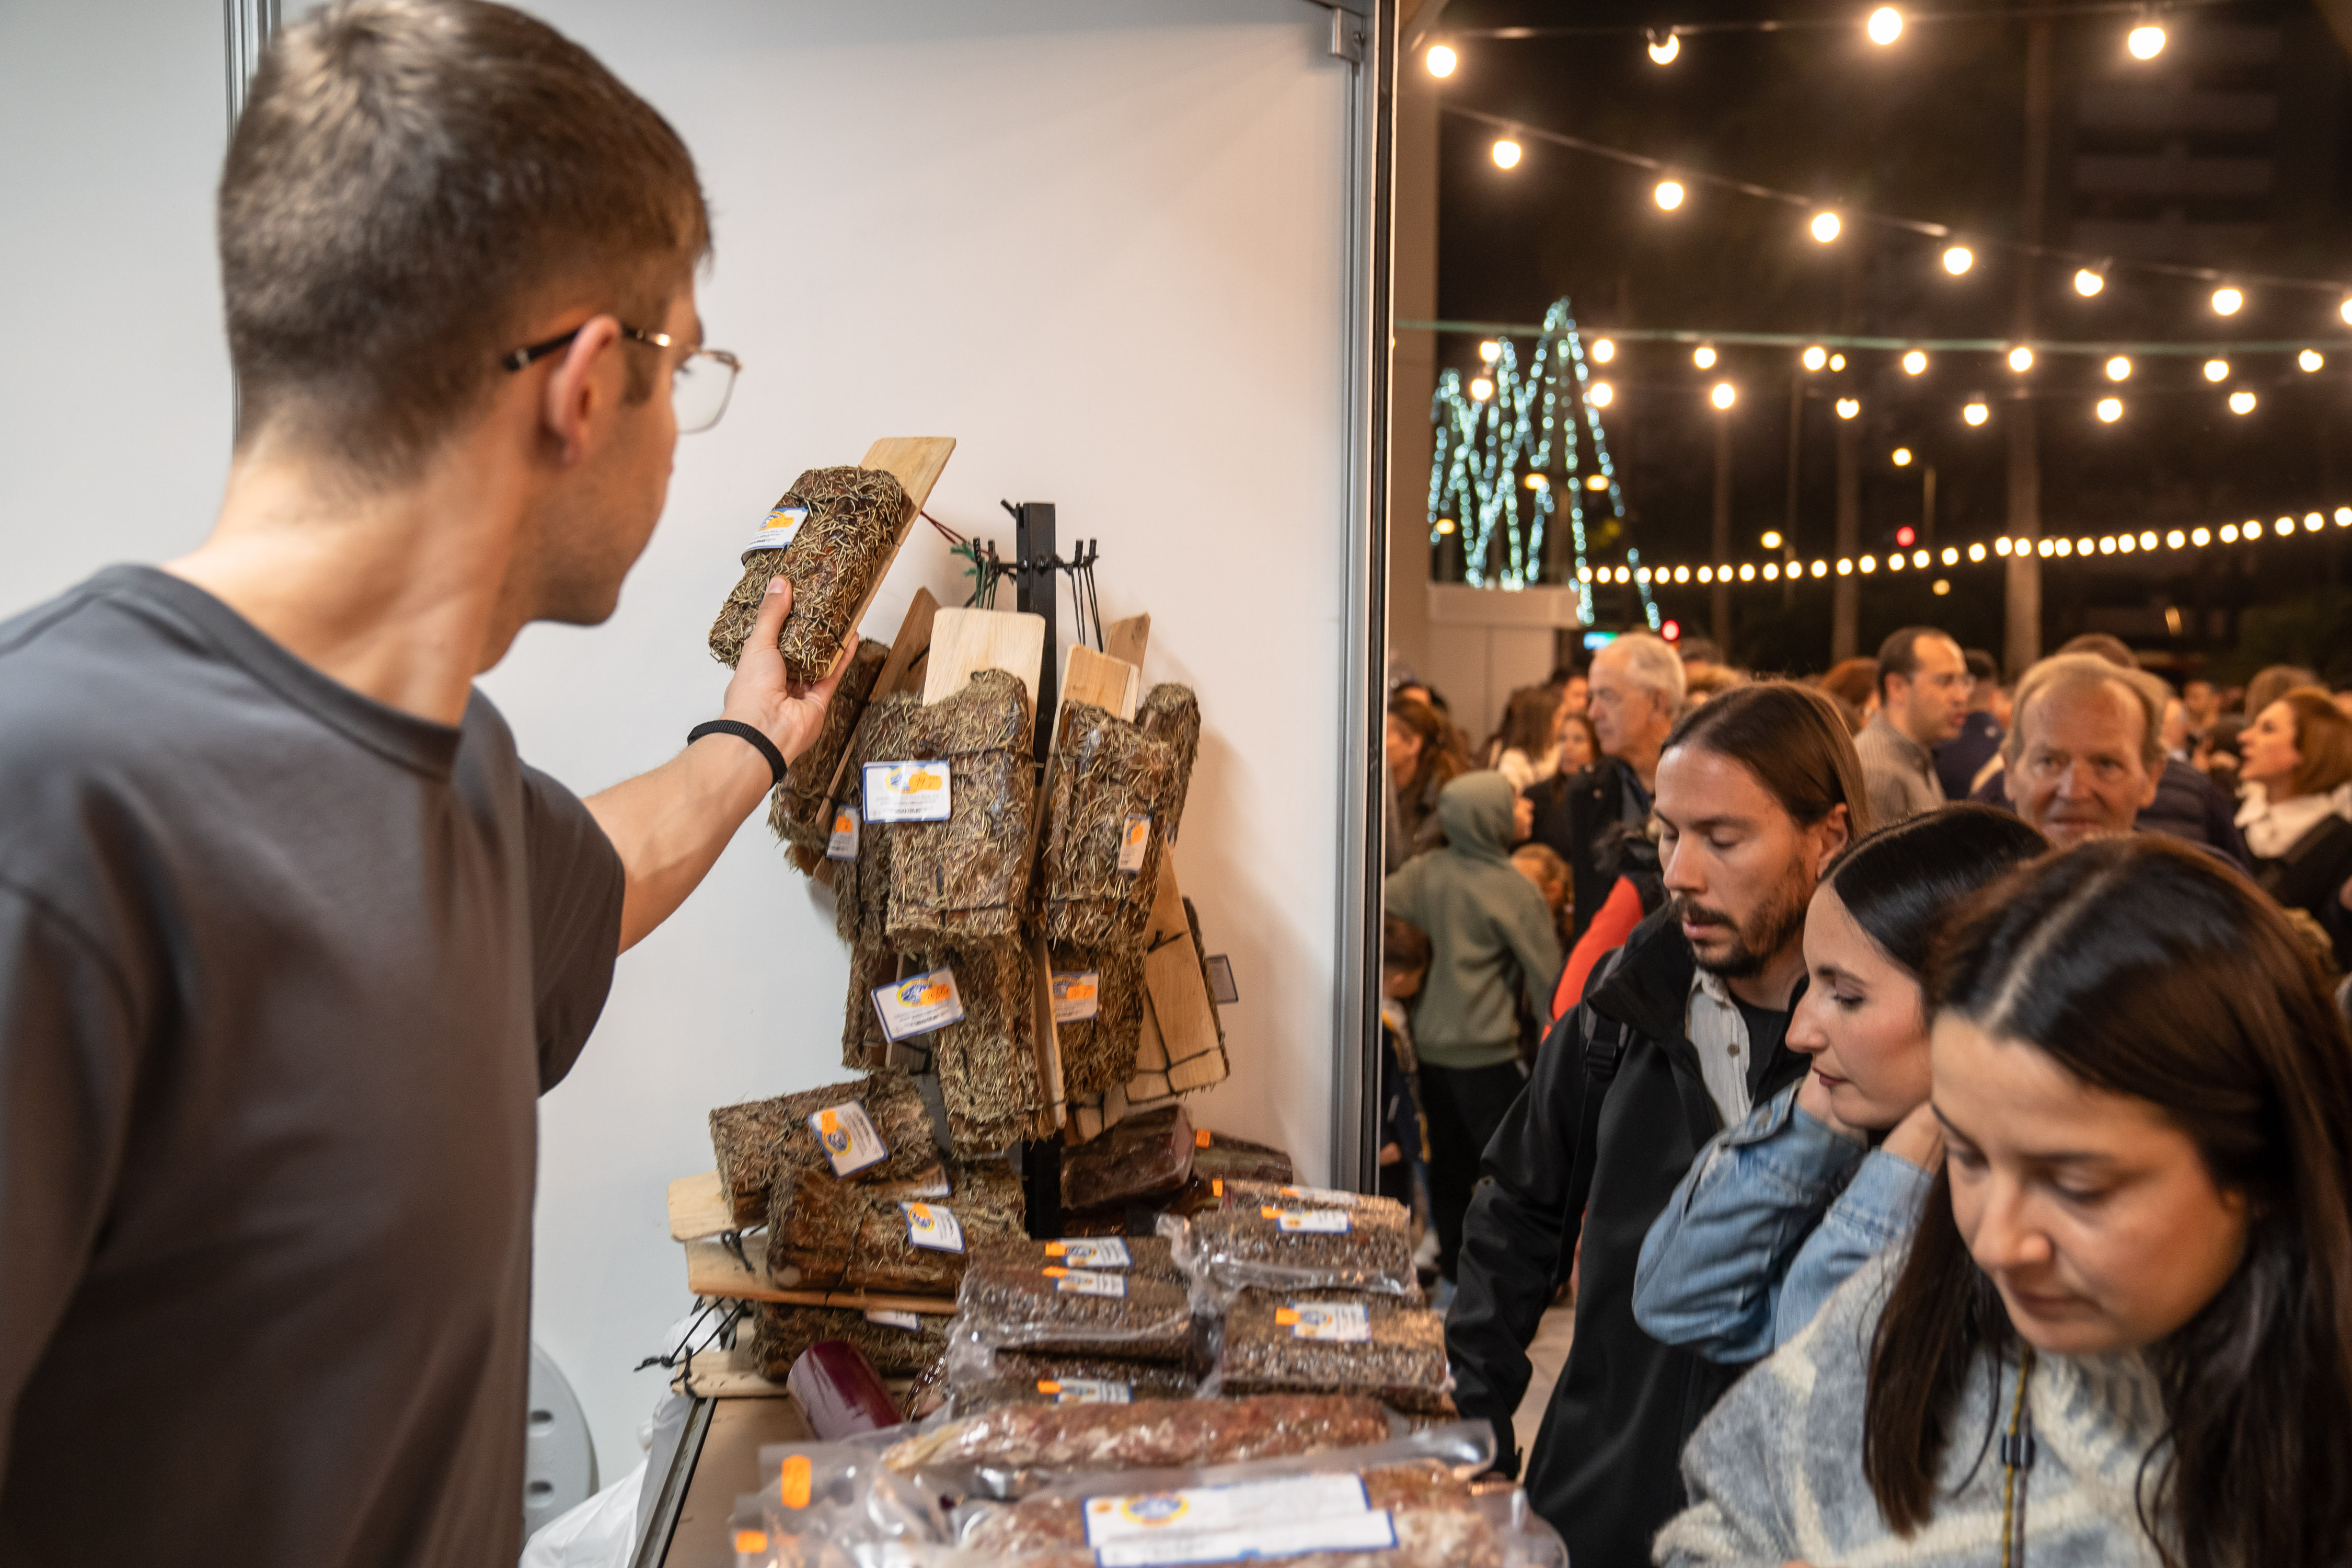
(1829, 1174)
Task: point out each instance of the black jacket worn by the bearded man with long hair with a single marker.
(1605, 1463)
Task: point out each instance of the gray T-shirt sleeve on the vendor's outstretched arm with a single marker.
(577, 885)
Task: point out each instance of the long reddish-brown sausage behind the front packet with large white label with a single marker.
(1161, 1435)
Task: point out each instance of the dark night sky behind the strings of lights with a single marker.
(2229, 149)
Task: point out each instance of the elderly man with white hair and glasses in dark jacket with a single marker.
(1636, 695)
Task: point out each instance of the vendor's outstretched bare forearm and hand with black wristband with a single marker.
(674, 824)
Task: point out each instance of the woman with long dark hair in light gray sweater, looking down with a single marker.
(2123, 1332)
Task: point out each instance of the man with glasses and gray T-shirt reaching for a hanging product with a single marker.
(290, 939)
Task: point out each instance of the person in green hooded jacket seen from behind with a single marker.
(1490, 946)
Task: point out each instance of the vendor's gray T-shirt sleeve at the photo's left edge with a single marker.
(69, 1054)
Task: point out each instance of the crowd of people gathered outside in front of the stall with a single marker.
(1935, 1097)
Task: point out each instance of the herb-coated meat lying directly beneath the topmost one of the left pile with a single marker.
(838, 1235)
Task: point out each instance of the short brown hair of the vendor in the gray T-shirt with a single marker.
(408, 182)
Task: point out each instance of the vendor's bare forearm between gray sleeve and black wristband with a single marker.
(671, 824)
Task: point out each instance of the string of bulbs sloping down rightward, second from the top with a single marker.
(1831, 220)
